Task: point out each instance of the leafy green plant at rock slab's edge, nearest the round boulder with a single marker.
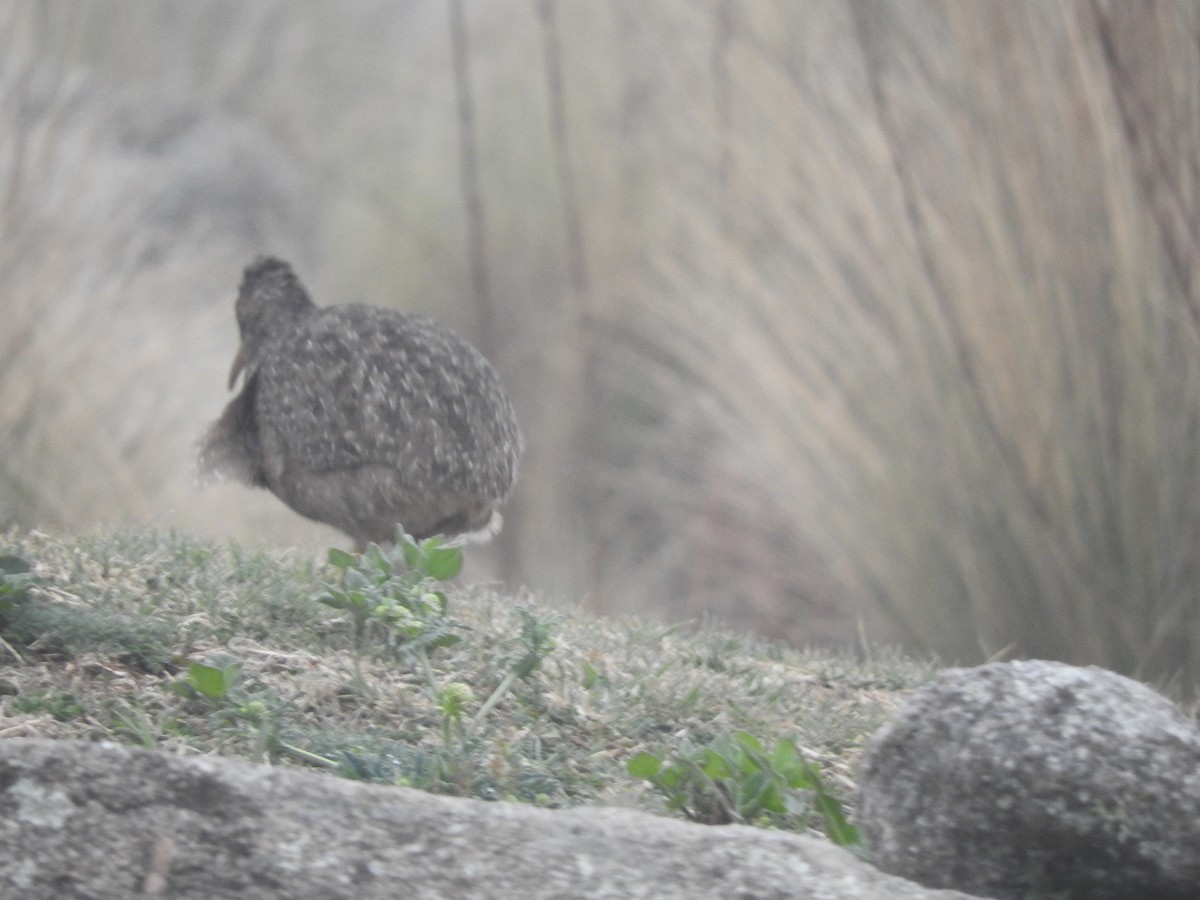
(735, 779)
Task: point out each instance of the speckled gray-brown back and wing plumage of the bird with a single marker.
(357, 386)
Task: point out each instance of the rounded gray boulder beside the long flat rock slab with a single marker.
(1022, 779)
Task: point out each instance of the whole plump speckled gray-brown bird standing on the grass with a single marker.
(363, 418)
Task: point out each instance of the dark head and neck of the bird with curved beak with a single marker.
(269, 301)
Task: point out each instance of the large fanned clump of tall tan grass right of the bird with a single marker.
(944, 353)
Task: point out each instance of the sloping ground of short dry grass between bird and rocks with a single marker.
(103, 638)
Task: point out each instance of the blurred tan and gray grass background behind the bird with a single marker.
(833, 320)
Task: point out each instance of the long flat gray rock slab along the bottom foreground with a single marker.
(101, 821)
